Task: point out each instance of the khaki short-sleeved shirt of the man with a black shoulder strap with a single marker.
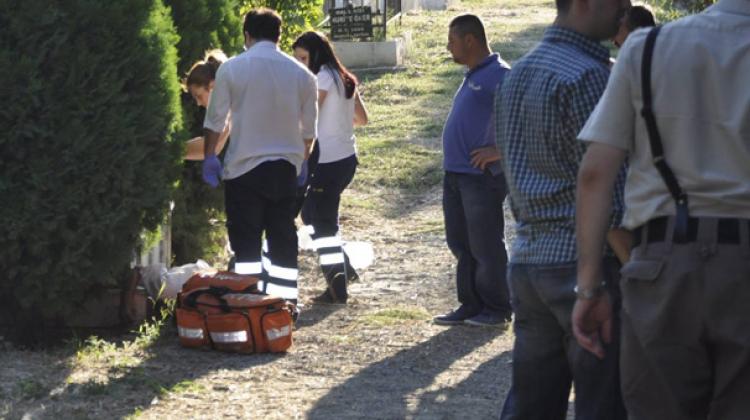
(701, 90)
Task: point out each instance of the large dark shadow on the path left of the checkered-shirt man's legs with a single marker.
(386, 388)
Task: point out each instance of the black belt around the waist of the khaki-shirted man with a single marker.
(728, 231)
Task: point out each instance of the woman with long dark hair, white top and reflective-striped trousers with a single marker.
(340, 109)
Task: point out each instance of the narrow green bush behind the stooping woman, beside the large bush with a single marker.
(197, 222)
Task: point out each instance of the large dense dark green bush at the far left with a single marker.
(91, 105)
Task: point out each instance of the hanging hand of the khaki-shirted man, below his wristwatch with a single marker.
(592, 323)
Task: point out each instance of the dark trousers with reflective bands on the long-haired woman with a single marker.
(321, 210)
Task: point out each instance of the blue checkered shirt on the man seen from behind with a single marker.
(540, 108)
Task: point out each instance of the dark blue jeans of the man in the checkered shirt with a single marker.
(546, 357)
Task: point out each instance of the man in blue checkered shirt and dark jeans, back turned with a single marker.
(540, 108)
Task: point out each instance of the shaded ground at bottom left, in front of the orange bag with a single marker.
(122, 388)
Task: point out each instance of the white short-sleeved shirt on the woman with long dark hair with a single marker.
(336, 119)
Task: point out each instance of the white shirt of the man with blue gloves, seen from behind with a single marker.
(273, 100)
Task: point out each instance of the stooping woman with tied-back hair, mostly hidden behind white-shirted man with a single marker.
(199, 83)
